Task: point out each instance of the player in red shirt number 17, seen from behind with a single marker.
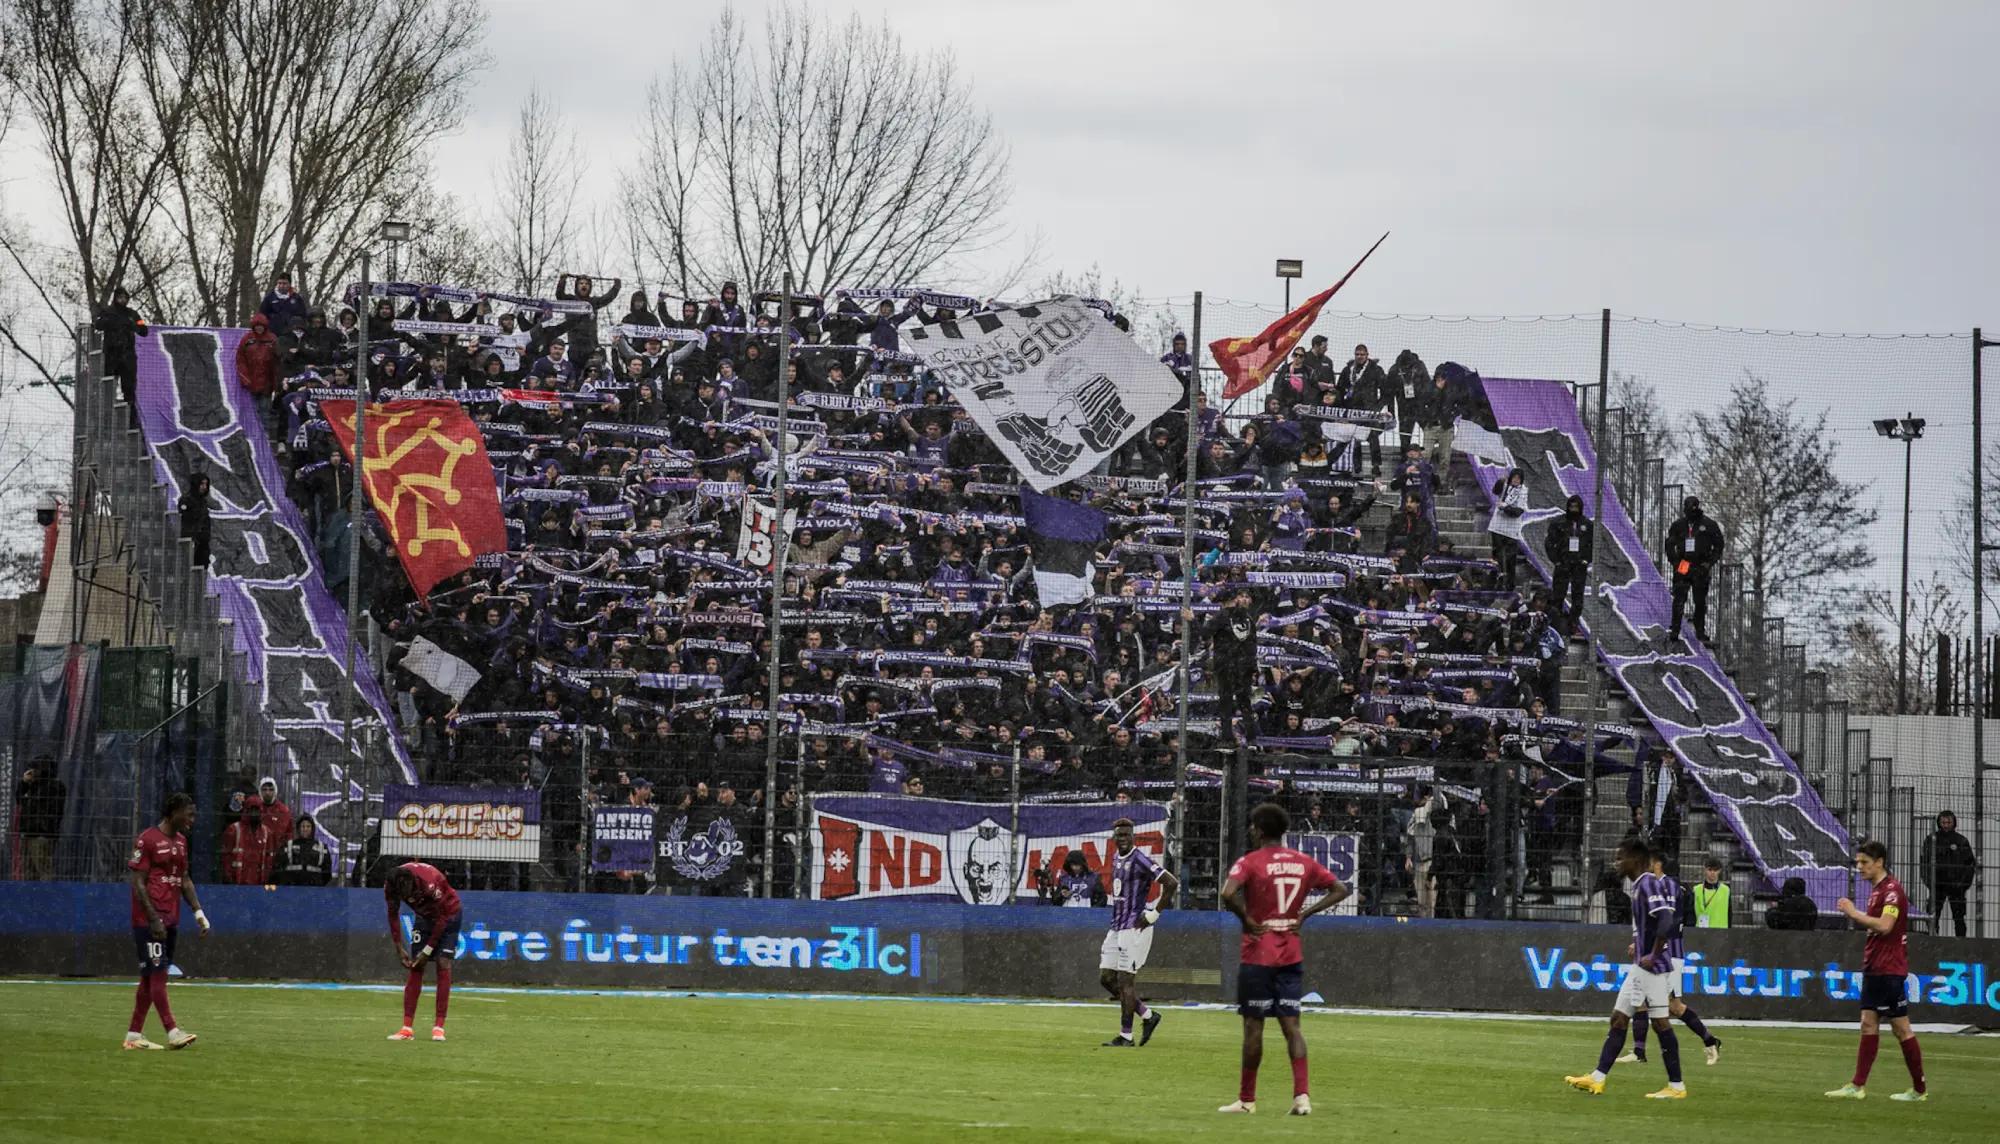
(1267, 891)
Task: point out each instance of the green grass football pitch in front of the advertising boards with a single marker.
(541, 1065)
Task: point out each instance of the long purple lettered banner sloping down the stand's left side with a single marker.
(265, 567)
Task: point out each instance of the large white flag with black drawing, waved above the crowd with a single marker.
(1057, 387)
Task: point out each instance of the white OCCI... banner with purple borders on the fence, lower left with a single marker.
(473, 823)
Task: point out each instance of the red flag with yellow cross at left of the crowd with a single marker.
(431, 481)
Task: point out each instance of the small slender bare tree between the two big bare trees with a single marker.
(539, 189)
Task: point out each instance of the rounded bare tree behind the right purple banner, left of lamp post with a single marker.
(1767, 473)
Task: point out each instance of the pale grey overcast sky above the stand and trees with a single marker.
(1825, 167)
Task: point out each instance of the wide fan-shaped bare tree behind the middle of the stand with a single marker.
(829, 151)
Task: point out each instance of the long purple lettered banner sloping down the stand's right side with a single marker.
(1701, 715)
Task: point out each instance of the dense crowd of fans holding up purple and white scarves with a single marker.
(623, 649)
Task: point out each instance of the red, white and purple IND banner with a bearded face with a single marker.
(927, 849)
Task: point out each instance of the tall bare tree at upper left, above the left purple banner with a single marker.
(307, 125)
